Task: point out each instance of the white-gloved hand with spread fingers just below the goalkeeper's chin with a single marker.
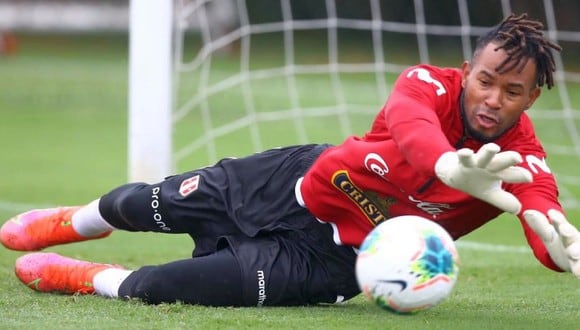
(482, 173)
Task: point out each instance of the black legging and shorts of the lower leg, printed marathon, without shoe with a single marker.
(290, 268)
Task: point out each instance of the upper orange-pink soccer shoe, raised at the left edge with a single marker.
(38, 229)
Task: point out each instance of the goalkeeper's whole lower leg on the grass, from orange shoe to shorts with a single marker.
(292, 268)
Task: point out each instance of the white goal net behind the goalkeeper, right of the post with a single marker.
(248, 75)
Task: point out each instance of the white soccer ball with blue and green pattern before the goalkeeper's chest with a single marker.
(407, 264)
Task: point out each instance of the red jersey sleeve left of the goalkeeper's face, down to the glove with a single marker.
(421, 99)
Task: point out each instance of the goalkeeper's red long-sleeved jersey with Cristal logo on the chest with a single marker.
(390, 170)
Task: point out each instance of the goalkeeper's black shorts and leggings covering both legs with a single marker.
(254, 245)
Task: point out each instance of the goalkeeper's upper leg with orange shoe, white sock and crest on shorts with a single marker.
(236, 196)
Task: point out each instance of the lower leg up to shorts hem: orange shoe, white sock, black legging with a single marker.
(191, 281)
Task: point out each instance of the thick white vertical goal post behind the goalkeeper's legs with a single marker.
(150, 89)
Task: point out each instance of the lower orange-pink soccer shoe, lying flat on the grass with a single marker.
(50, 272)
